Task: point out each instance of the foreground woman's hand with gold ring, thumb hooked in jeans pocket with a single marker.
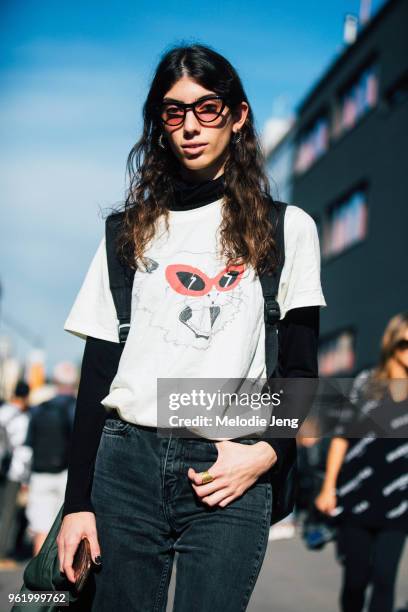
(237, 467)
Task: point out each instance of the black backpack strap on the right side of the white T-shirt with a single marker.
(270, 286)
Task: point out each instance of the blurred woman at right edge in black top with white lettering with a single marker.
(367, 477)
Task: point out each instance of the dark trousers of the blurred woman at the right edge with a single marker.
(370, 556)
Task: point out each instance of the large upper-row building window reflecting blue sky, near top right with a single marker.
(354, 102)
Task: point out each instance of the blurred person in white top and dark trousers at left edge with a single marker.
(15, 459)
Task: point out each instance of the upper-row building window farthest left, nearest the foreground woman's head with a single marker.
(312, 144)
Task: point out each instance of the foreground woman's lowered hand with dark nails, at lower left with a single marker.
(74, 528)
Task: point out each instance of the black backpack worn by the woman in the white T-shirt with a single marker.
(121, 280)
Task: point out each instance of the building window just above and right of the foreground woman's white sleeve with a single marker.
(345, 224)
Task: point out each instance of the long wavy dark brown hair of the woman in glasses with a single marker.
(246, 234)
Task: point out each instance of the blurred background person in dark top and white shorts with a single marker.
(49, 434)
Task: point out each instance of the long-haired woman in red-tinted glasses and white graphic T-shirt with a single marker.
(198, 166)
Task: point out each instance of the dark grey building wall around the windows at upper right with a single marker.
(368, 283)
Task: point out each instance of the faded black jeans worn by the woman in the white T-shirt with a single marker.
(146, 510)
